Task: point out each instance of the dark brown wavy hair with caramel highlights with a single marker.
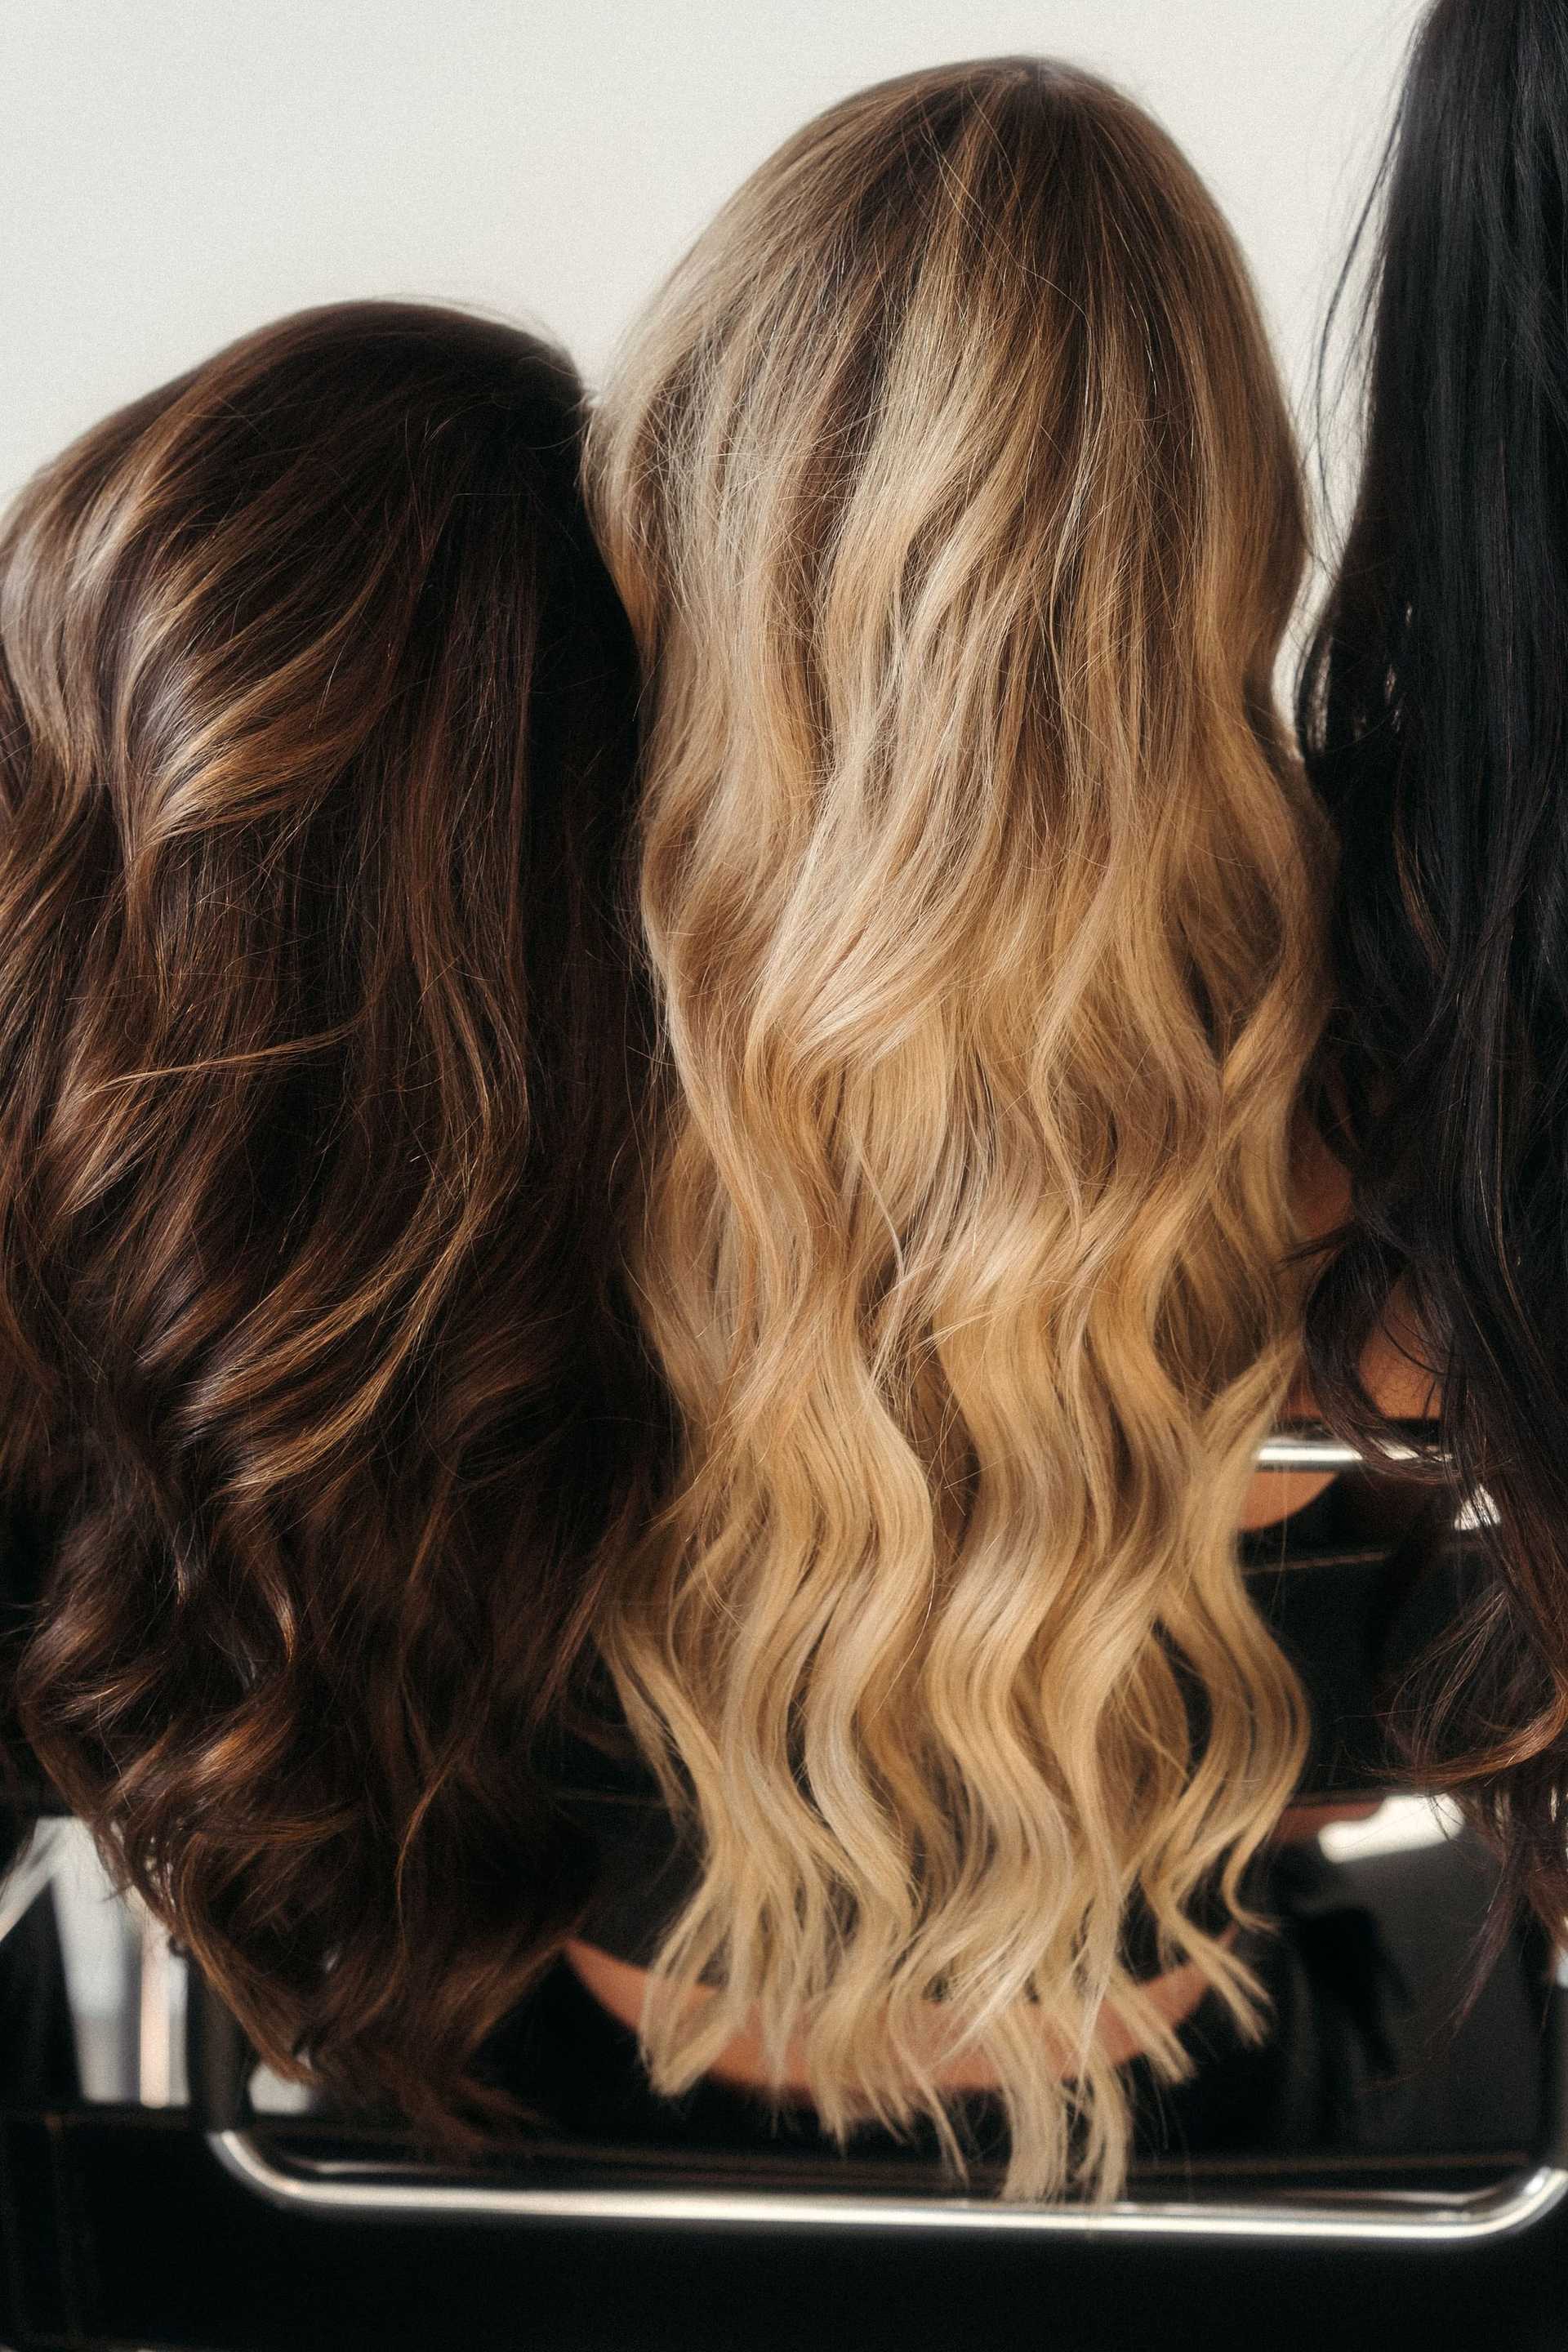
(319, 1060)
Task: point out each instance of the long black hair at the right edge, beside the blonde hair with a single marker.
(1435, 723)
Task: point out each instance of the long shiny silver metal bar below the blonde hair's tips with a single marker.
(1381, 2217)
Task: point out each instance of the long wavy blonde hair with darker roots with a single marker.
(953, 500)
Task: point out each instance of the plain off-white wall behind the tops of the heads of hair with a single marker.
(180, 171)
